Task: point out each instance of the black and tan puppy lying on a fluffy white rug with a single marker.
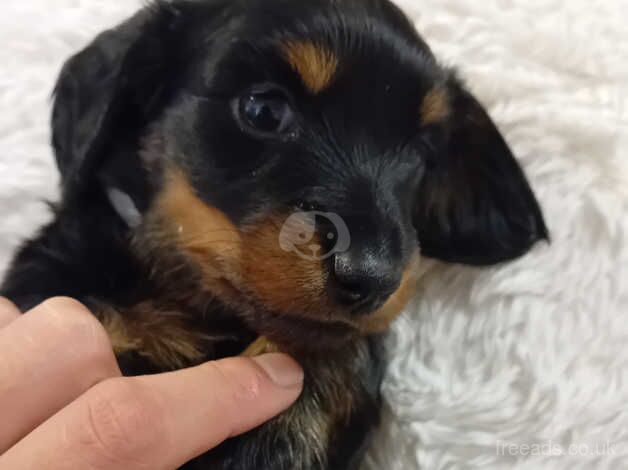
(201, 142)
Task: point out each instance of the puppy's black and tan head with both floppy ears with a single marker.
(299, 155)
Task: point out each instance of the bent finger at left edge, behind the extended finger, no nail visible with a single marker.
(50, 356)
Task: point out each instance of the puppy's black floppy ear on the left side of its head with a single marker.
(108, 91)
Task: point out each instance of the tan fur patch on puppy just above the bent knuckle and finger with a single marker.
(162, 337)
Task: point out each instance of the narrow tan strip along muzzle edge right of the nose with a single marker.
(381, 320)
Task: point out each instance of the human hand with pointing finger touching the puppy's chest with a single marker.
(64, 404)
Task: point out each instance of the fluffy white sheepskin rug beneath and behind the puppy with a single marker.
(523, 366)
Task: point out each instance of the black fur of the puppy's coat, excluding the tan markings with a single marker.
(170, 75)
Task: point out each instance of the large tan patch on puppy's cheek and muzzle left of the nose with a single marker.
(235, 260)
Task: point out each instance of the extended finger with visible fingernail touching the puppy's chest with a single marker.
(161, 421)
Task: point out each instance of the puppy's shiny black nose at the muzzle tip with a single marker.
(362, 281)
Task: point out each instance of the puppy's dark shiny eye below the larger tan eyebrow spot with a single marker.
(266, 112)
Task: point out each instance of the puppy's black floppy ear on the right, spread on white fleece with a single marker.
(475, 204)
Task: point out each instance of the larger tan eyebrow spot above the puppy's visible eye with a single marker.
(314, 63)
